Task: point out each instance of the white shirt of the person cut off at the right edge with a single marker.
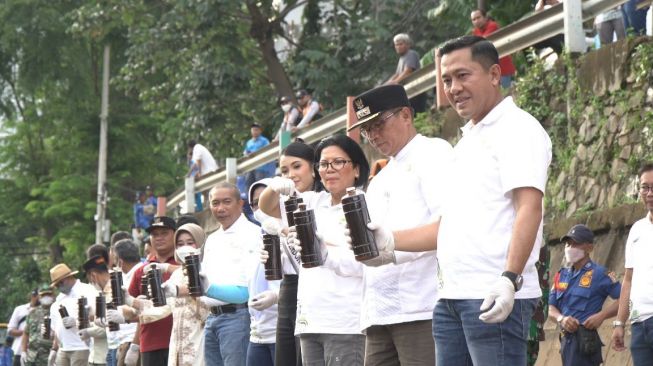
(639, 258)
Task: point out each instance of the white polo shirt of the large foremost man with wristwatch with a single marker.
(507, 149)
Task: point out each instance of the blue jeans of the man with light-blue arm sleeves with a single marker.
(226, 338)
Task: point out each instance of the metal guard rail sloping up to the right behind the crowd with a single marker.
(508, 40)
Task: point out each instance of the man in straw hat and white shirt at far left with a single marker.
(72, 350)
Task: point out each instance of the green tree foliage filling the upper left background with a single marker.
(180, 69)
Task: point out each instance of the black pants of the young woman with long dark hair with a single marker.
(287, 349)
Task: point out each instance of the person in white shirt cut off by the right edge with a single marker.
(636, 300)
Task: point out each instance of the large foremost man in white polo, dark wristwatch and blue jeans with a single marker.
(490, 233)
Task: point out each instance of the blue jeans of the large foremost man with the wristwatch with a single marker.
(461, 339)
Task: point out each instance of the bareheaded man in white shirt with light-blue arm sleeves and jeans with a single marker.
(230, 255)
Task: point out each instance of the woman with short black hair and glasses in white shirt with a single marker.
(328, 302)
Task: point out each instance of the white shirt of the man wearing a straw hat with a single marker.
(68, 338)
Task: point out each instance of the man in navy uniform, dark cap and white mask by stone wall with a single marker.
(577, 297)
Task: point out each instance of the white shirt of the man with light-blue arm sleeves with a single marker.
(230, 255)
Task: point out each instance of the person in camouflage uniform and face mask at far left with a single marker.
(38, 348)
